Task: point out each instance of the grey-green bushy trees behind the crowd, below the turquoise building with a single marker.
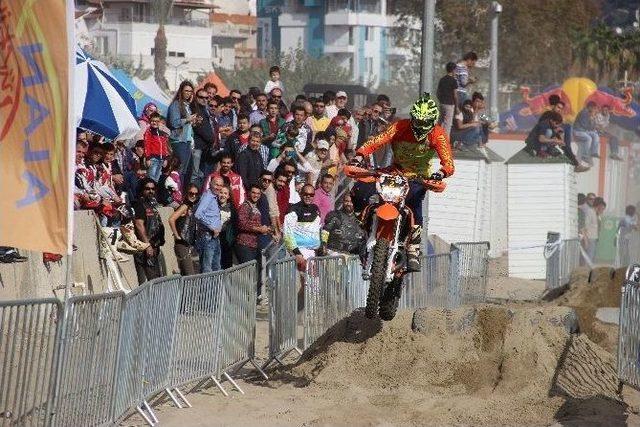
(297, 69)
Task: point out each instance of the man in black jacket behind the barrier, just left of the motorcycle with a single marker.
(342, 232)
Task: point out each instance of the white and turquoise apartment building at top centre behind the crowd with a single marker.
(358, 34)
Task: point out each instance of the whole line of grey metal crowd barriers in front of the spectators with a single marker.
(100, 357)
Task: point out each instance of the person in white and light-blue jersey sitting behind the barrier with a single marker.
(302, 228)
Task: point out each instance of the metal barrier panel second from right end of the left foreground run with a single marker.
(196, 352)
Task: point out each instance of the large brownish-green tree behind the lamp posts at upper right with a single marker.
(536, 38)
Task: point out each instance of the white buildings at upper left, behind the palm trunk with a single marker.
(202, 35)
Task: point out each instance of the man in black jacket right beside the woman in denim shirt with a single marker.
(204, 137)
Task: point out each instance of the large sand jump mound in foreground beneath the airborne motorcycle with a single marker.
(484, 359)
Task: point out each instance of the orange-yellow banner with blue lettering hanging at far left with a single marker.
(36, 127)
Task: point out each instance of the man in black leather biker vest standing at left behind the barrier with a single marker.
(149, 229)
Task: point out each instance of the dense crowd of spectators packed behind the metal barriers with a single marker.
(244, 174)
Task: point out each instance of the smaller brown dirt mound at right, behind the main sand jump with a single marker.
(587, 297)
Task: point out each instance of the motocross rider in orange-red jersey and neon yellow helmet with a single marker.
(414, 142)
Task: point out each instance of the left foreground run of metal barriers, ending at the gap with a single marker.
(112, 353)
